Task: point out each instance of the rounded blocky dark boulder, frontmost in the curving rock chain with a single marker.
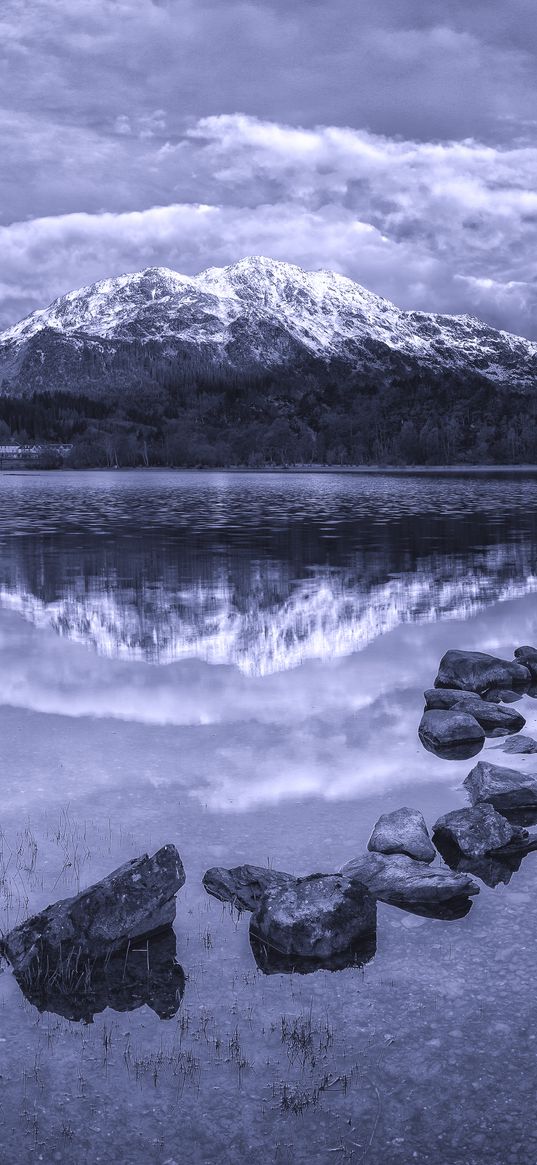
(315, 922)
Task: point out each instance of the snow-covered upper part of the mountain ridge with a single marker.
(265, 313)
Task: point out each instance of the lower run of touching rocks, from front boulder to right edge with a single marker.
(330, 921)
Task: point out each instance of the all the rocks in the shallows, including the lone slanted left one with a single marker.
(114, 945)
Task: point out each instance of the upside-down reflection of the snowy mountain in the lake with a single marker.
(255, 613)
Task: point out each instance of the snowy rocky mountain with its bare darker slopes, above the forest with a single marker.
(253, 316)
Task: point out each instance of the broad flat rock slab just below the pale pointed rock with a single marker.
(413, 886)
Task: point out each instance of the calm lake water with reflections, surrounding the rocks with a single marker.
(236, 663)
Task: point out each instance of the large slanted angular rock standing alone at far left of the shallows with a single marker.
(138, 899)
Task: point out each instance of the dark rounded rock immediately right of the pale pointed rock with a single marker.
(477, 831)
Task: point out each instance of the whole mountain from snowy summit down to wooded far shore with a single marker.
(199, 361)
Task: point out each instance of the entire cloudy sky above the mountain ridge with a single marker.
(394, 143)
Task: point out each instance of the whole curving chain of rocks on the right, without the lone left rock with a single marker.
(329, 920)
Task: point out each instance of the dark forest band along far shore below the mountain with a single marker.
(306, 415)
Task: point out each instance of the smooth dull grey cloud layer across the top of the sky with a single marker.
(422, 68)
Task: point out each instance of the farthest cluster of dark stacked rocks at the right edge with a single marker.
(468, 702)
